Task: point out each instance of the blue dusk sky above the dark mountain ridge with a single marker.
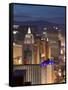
(24, 13)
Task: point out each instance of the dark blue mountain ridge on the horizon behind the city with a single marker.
(40, 23)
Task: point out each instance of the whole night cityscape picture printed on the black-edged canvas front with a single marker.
(38, 46)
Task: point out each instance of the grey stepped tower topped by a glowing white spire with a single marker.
(28, 48)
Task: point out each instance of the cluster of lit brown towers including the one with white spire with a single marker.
(35, 51)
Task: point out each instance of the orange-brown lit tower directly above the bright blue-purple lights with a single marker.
(45, 47)
